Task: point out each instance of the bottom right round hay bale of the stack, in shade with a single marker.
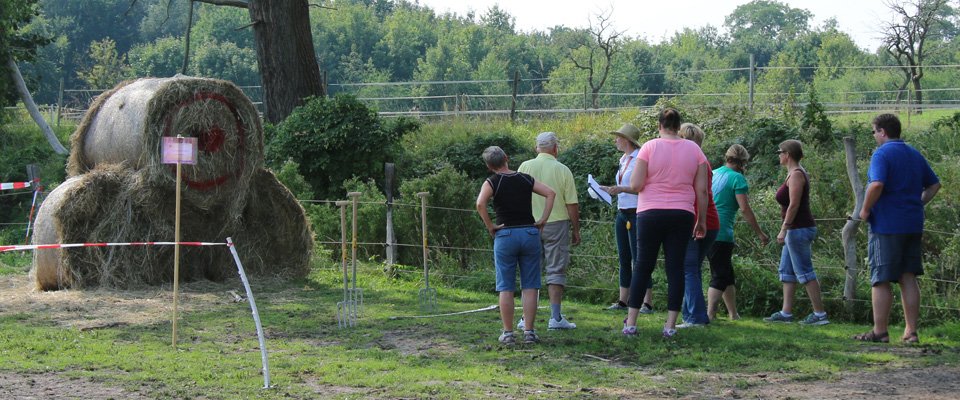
(274, 237)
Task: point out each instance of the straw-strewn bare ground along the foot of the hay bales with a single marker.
(102, 308)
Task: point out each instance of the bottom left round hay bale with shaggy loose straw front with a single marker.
(115, 204)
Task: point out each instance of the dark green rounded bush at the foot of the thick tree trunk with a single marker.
(335, 139)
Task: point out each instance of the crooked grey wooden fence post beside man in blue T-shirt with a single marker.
(849, 233)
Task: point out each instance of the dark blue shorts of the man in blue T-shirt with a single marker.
(891, 256)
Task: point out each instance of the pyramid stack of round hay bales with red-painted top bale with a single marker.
(120, 192)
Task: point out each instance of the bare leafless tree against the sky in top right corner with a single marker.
(916, 23)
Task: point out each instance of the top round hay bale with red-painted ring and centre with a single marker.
(126, 125)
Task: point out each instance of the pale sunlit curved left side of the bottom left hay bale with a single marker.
(47, 271)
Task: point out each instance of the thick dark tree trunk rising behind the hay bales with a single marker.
(284, 46)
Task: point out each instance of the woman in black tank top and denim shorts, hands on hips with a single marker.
(516, 238)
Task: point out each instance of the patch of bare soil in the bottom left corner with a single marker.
(56, 386)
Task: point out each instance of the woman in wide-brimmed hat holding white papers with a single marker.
(627, 140)
